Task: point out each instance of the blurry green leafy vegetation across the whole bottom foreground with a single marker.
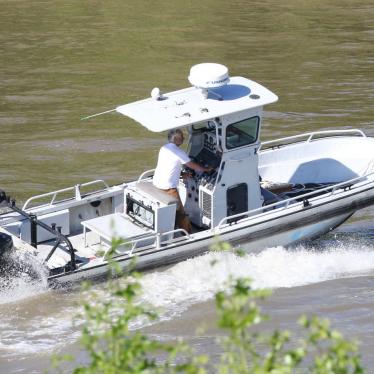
(114, 346)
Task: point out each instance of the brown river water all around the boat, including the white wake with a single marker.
(62, 60)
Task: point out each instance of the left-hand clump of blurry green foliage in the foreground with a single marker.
(112, 345)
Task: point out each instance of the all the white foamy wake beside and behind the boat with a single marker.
(172, 291)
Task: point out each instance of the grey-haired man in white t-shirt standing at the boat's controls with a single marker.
(168, 170)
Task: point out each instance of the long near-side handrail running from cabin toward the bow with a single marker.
(286, 203)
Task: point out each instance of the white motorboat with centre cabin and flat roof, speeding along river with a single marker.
(259, 194)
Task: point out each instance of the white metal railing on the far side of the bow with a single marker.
(309, 137)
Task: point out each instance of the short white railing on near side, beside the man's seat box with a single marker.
(157, 241)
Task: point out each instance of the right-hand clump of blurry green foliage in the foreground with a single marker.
(246, 351)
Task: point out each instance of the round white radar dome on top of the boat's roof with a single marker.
(209, 75)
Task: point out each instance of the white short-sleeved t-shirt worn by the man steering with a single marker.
(169, 166)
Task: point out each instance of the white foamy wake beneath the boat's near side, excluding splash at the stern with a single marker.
(197, 280)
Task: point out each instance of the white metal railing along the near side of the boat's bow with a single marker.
(288, 203)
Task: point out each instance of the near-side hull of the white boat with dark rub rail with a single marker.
(288, 229)
